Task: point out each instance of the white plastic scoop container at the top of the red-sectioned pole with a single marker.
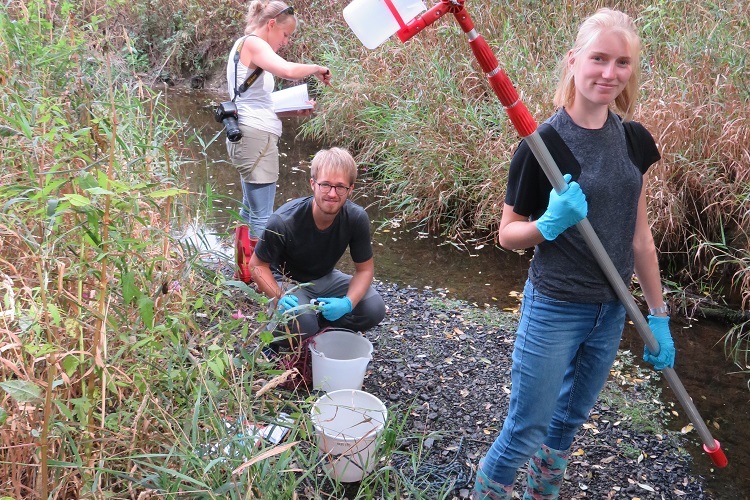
(374, 23)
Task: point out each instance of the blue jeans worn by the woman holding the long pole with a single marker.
(561, 360)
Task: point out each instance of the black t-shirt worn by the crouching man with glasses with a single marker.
(296, 248)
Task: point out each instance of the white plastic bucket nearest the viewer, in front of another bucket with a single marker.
(347, 424)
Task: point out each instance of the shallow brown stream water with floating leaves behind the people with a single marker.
(487, 276)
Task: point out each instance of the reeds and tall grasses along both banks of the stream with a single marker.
(122, 367)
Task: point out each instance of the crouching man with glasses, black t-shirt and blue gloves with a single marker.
(294, 262)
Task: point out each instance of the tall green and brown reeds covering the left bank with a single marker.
(103, 361)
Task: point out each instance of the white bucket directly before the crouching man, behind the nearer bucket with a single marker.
(339, 360)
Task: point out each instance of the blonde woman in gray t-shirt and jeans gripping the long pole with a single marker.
(571, 320)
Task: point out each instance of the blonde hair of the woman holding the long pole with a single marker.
(603, 21)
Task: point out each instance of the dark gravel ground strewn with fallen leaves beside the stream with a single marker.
(443, 367)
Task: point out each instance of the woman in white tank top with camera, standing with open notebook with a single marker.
(270, 24)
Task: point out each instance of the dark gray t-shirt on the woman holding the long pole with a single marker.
(565, 268)
